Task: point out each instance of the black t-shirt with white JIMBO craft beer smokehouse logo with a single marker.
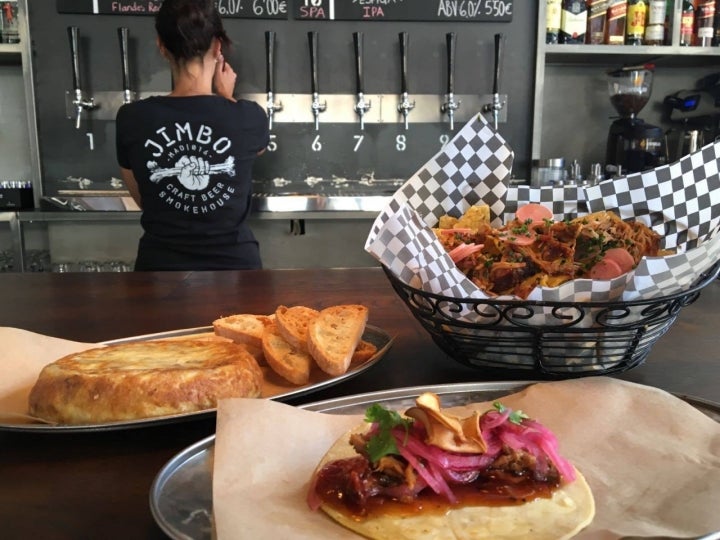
(192, 158)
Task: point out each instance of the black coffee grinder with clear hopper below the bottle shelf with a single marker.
(633, 145)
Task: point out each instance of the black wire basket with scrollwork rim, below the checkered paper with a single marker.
(550, 339)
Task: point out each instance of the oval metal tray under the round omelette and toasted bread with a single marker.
(278, 390)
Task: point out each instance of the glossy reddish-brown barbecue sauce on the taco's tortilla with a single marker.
(332, 481)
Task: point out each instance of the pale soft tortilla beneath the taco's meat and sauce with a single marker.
(570, 509)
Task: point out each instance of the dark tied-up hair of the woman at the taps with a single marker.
(186, 28)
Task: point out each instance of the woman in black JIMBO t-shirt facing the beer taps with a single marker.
(186, 157)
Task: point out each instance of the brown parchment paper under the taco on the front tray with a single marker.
(652, 460)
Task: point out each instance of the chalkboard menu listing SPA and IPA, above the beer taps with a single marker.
(405, 10)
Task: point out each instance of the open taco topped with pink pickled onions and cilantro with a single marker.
(428, 474)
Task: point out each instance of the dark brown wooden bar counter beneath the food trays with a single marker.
(97, 484)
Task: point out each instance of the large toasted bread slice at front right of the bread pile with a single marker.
(334, 335)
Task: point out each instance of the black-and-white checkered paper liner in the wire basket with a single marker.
(680, 201)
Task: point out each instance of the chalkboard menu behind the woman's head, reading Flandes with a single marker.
(238, 9)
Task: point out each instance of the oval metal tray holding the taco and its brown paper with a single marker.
(181, 494)
